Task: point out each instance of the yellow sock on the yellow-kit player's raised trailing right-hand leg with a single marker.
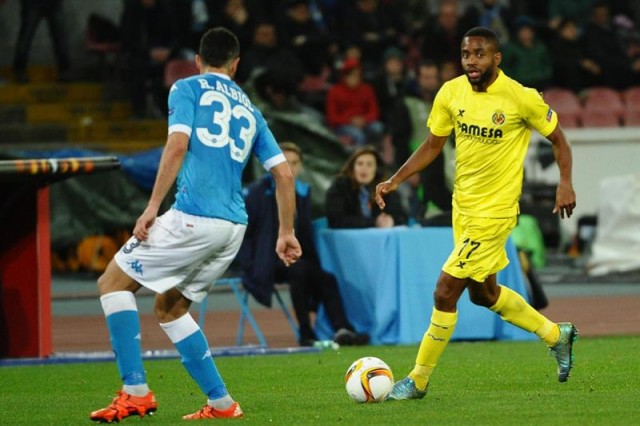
(514, 309)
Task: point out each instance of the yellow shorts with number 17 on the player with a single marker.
(479, 246)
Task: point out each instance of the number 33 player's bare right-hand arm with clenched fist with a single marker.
(287, 247)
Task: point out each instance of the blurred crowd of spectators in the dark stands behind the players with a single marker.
(356, 61)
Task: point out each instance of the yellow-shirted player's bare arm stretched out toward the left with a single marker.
(421, 158)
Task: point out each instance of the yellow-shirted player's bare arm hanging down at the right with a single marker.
(565, 195)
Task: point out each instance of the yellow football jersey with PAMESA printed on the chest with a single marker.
(492, 131)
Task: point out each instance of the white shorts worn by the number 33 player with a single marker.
(183, 251)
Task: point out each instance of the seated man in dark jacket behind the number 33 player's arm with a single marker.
(309, 284)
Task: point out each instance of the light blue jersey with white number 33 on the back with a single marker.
(224, 128)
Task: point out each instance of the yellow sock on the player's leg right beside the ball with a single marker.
(433, 343)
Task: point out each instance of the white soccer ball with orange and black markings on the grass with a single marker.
(368, 379)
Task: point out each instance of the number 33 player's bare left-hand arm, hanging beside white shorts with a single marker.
(170, 164)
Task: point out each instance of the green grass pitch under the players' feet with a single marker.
(485, 383)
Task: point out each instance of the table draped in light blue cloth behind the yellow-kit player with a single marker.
(387, 278)
